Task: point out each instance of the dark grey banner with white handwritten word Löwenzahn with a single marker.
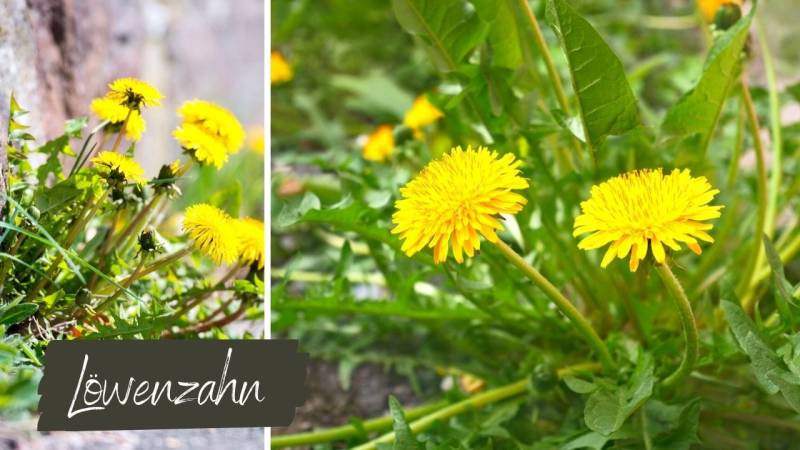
(127, 385)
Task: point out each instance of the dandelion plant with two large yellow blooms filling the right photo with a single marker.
(506, 230)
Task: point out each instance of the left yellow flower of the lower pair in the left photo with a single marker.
(212, 231)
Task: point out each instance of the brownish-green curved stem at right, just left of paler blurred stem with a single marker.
(744, 290)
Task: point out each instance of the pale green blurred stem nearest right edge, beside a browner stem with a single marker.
(775, 130)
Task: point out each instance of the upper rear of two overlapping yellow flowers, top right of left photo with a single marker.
(216, 121)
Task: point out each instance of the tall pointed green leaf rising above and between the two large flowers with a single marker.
(605, 99)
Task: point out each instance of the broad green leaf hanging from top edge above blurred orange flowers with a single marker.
(450, 29)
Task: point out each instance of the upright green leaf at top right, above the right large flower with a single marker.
(698, 111)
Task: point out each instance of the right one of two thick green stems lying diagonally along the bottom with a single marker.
(474, 402)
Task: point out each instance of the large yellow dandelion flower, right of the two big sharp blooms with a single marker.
(647, 207)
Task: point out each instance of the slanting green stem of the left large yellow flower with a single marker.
(566, 307)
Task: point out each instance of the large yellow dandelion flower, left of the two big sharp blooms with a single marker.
(455, 199)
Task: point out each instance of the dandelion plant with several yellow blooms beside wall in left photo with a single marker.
(90, 247)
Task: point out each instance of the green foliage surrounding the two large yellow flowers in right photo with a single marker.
(342, 287)
